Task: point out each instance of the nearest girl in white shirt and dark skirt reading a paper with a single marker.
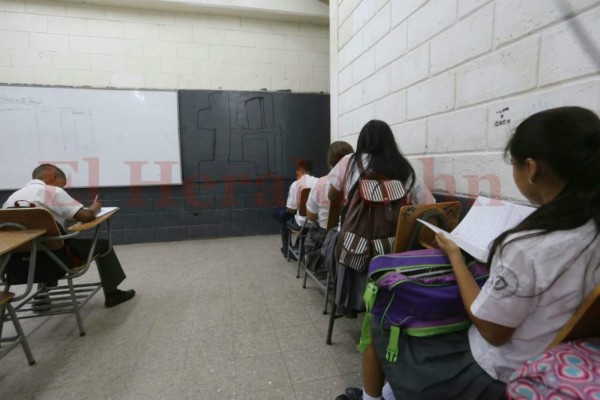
(540, 271)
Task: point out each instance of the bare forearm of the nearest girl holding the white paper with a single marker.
(494, 333)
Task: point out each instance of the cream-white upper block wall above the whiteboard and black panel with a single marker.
(69, 44)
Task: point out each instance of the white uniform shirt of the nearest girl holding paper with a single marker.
(535, 285)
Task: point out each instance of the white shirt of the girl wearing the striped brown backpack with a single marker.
(419, 193)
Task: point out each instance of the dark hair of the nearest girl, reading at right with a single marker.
(567, 140)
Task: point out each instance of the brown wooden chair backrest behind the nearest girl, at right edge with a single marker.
(584, 323)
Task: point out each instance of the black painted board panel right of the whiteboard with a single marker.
(238, 136)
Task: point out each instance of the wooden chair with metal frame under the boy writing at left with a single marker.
(45, 301)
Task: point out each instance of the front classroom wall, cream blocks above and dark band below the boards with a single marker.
(68, 44)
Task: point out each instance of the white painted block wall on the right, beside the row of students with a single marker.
(453, 77)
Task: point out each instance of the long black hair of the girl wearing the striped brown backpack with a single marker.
(377, 140)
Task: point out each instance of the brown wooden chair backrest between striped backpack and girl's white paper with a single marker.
(410, 236)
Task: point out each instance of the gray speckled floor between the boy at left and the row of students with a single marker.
(212, 319)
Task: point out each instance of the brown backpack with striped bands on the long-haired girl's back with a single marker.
(369, 221)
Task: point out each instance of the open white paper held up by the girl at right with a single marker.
(484, 222)
